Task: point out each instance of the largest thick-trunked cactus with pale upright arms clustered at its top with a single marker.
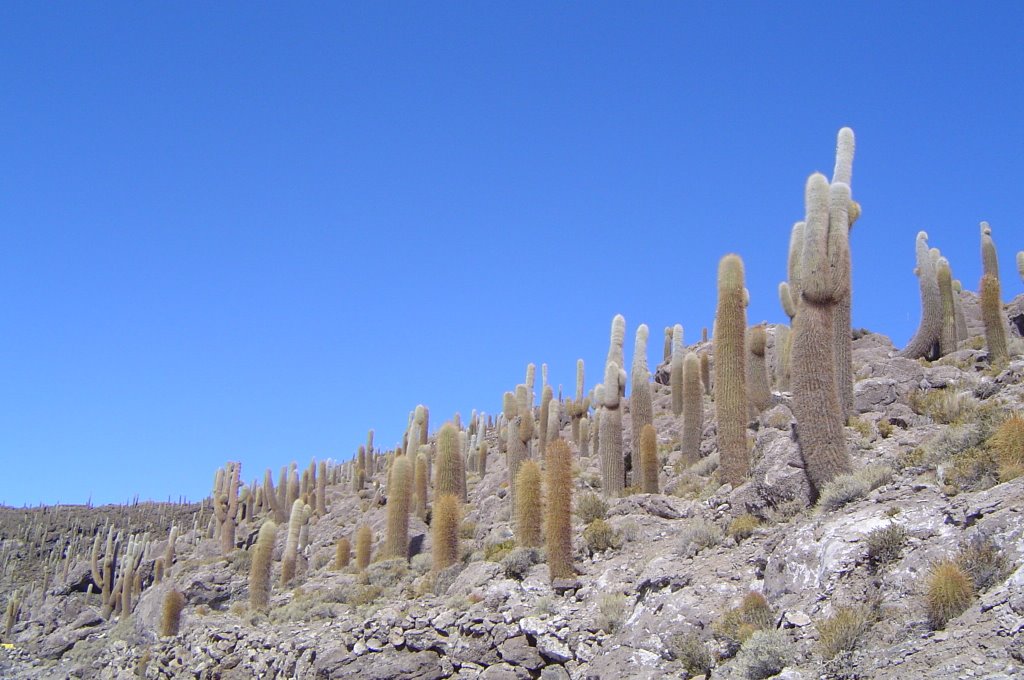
(825, 275)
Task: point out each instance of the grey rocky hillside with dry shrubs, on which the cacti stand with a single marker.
(913, 566)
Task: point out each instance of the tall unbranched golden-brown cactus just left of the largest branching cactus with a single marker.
(731, 389)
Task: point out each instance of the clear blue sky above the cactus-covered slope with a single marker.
(252, 232)
